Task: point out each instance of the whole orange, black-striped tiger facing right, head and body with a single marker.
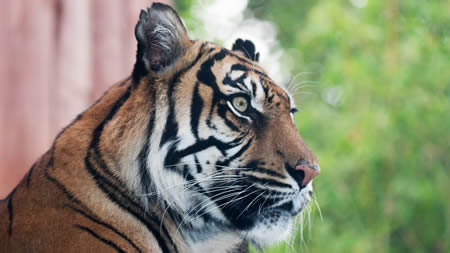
(195, 151)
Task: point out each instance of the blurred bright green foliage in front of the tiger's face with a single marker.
(377, 117)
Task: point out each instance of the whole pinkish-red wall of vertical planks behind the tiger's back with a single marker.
(56, 58)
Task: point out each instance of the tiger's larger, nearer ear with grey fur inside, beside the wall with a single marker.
(161, 37)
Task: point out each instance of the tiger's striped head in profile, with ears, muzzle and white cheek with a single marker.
(223, 152)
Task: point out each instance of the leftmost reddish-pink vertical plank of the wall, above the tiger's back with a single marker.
(28, 58)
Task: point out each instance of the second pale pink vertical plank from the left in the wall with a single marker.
(71, 88)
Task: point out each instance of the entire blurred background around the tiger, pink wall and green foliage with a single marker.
(372, 81)
